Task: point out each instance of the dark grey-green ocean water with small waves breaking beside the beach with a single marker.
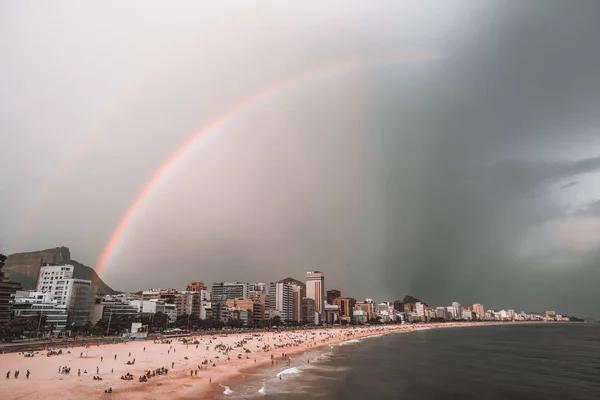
(511, 361)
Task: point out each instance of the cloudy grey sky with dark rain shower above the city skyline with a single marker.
(467, 174)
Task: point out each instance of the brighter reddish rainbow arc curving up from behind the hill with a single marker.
(158, 176)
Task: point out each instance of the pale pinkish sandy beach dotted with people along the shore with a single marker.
(193, 369)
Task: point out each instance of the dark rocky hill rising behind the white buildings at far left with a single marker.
(25, 267)
